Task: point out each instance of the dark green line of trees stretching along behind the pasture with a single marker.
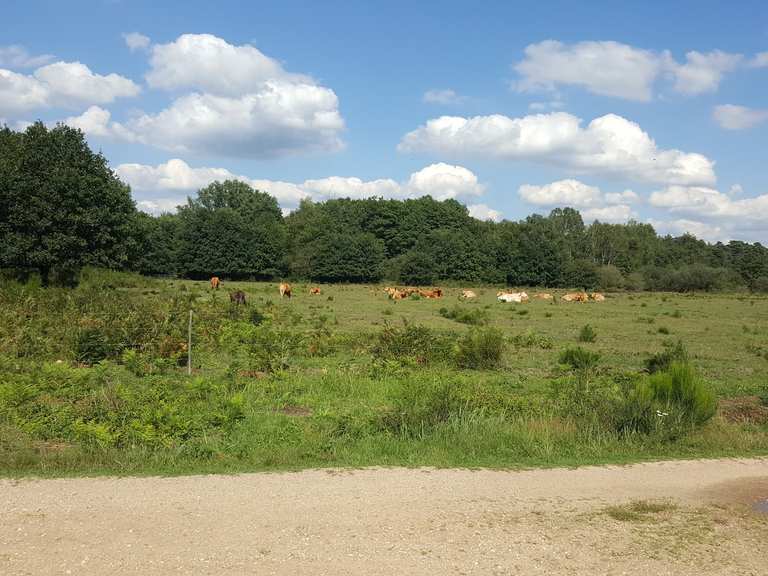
(62, 208)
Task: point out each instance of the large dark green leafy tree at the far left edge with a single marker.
(61, 207)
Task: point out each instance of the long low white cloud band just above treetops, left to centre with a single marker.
(442, 181)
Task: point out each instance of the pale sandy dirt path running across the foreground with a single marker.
(394, 521)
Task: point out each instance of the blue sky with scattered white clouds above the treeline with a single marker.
(653, 111)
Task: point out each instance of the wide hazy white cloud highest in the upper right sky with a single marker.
(618, 70)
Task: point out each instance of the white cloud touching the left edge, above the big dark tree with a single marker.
(66, 84)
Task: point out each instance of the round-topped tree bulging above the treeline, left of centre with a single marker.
(230, 229)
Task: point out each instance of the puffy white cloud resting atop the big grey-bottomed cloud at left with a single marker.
(208, 63)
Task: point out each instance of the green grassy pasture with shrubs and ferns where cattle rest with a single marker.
(93, 381)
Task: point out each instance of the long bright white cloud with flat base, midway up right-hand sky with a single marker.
(609, 145)
